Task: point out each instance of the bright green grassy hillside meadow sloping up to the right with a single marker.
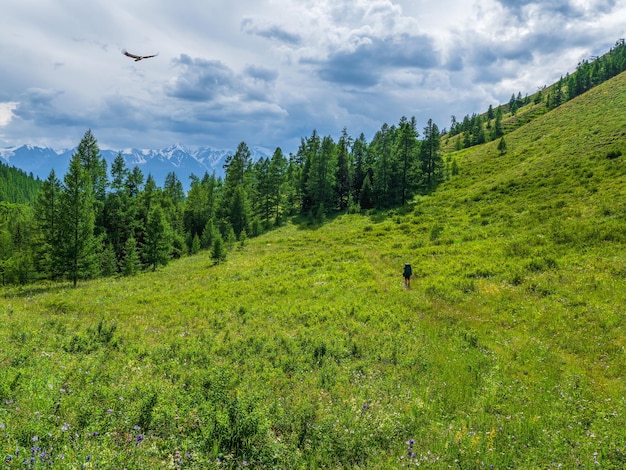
(303, 350)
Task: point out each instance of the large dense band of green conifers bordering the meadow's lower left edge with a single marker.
(97, 221)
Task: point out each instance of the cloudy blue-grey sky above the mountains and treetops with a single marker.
(268, 72)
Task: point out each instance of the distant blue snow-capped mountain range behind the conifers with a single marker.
(178, 159)
